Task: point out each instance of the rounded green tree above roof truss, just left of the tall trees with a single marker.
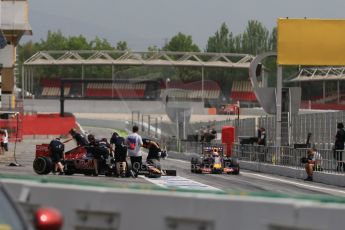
(181, 42)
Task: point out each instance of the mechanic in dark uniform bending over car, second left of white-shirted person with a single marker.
(99, 149)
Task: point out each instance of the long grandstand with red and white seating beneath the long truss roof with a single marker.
(134, 89)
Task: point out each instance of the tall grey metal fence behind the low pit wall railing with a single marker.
(322, 126)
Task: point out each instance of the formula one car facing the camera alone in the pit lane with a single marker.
(213, 161)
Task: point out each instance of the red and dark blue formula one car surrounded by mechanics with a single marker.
(80, 160)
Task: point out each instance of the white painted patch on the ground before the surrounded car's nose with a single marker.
(180, 182)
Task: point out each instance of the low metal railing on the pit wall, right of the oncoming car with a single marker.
(331, 161)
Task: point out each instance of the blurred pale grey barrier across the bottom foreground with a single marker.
(86, 207)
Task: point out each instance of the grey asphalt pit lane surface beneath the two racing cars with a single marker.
(246, 182)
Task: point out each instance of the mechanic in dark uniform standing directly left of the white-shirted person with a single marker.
(120, 150)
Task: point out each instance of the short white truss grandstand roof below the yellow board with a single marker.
(320, 74)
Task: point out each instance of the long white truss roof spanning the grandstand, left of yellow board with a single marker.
(159, 58)
